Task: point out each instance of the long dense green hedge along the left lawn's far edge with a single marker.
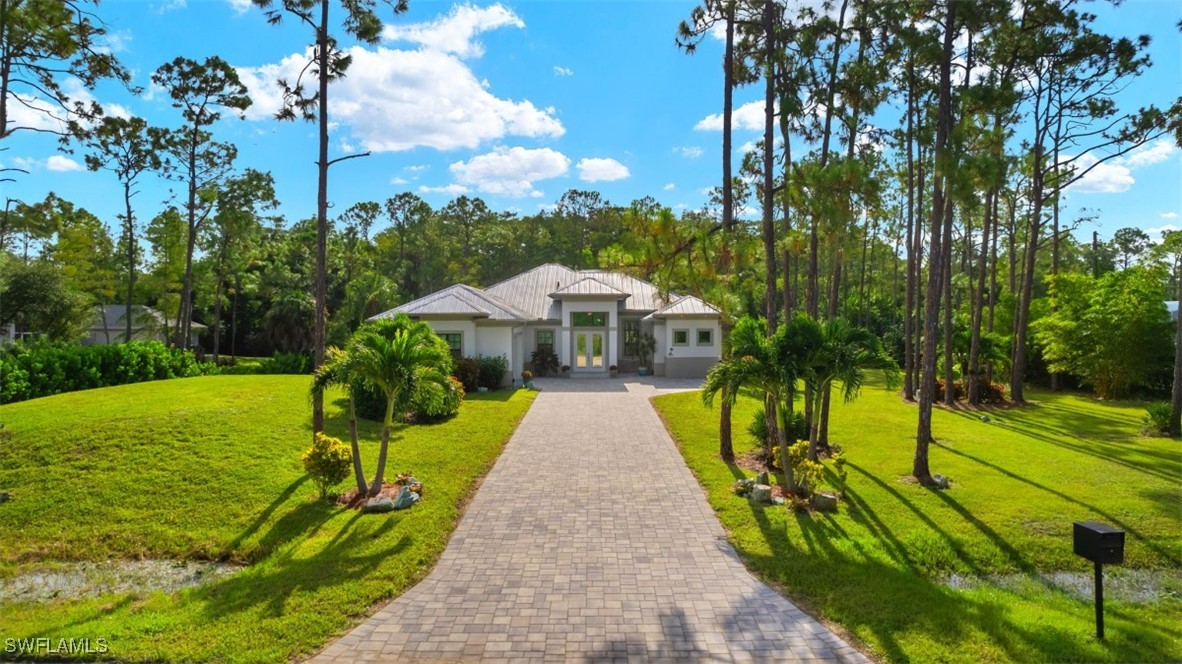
(29, 372)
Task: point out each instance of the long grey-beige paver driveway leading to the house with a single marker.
(590, 541)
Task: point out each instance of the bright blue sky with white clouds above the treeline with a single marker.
(517, 103)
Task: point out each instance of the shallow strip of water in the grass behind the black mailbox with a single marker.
(1136, 587)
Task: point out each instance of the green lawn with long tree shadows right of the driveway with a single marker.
(1019, 483)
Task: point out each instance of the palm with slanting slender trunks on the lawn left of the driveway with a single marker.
(400, 359)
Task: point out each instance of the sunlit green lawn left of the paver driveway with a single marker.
(209, 468)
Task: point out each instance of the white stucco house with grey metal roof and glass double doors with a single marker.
(592, 320)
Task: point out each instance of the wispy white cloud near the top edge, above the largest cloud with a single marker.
(456, 34)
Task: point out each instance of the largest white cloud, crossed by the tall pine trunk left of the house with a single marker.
(399, 100)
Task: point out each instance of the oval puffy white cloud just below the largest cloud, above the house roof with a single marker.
(511, 172)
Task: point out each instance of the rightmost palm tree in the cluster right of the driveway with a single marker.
(836, 353)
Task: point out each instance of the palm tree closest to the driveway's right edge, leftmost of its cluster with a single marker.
(758, 361)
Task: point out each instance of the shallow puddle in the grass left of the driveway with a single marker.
(76, 581)
